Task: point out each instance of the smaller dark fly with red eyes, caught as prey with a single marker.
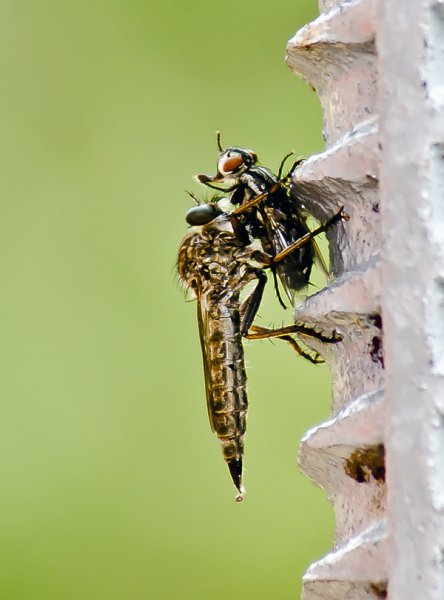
(265, 210)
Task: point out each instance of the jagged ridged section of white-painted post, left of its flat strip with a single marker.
(345, 455)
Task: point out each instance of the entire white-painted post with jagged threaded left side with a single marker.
(378, 68)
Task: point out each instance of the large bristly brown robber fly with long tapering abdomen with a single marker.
(217, 264)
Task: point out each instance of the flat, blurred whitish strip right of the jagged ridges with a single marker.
(412, 198)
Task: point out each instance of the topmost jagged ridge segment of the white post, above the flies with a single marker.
(335, 55)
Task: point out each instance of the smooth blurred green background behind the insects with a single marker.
(112, 485)
